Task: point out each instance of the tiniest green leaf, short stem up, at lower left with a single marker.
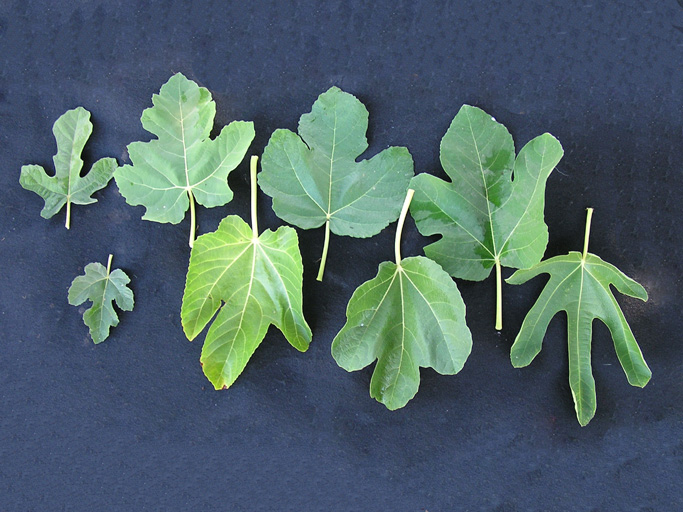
(103, 287)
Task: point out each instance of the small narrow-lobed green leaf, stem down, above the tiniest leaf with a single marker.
(72, 130)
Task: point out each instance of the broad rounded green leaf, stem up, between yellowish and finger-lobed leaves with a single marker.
(410, 316)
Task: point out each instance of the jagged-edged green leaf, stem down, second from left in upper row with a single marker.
(183, 164)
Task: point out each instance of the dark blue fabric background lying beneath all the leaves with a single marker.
(132, 424)
